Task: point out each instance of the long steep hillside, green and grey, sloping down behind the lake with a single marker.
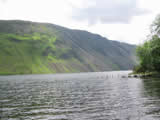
(28, 47)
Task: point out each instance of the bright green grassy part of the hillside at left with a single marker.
(31, 53)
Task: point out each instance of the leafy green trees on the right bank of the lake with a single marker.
(149, 52)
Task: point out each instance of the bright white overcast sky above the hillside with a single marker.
(121, 20)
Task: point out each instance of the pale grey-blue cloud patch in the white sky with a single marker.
(106, 11)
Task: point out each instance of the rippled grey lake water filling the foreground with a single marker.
(84, 96)
